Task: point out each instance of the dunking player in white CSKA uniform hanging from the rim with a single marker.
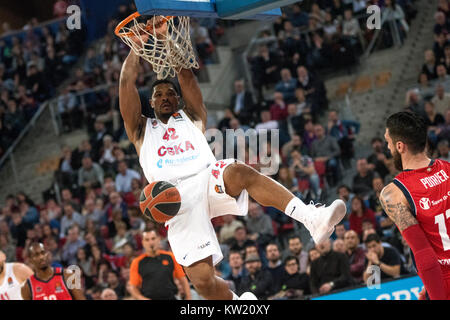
(172, 147)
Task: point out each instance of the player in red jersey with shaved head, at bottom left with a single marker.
(48, 283)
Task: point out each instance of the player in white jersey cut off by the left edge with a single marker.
(12, 277)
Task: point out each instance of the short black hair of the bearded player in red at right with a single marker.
(409, 128)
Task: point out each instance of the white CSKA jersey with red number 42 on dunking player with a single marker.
(174, 150)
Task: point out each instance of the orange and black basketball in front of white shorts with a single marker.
(160, 201)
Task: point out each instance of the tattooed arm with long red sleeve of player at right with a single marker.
(397, 208)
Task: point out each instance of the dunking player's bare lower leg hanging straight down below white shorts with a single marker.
(207, 284)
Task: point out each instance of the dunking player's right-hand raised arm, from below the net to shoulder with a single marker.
(192, 96)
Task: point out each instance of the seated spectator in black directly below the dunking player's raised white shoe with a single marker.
(330, 271)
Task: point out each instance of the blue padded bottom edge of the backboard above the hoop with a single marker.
(223, 9)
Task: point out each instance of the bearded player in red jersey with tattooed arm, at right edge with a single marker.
(418, 201)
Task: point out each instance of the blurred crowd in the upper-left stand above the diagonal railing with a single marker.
(33, 62)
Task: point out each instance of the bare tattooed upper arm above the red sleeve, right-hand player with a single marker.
(396, 207)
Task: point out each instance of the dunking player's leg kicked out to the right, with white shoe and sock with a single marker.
(319, 221)
